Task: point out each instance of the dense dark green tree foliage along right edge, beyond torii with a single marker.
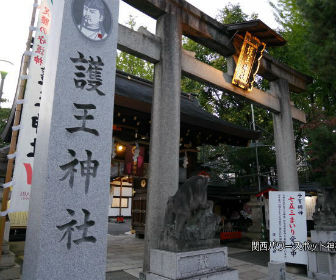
(309, 27)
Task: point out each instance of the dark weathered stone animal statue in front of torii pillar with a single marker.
(189, 221)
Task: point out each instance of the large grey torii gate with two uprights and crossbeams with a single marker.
(174, 19)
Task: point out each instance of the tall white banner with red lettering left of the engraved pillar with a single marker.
(23, 170)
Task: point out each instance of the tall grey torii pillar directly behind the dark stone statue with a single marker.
(165, 129)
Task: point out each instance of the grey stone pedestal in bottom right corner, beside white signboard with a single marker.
(322, 264)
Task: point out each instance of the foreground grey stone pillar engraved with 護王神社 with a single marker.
(68, 211)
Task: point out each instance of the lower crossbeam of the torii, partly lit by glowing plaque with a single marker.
(148, 46)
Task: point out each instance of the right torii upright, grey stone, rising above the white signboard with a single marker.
(284, 139)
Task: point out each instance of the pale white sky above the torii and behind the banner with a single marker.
(15, 17)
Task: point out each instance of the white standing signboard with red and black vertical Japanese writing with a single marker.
(288, 227)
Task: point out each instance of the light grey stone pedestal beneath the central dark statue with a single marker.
(201, 264)
